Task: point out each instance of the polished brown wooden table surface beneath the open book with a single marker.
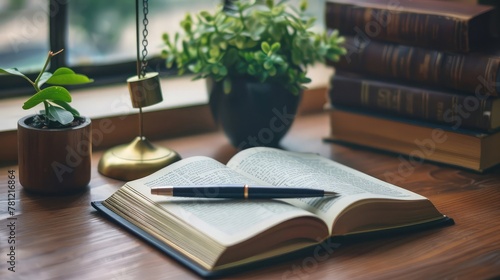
(64, 238)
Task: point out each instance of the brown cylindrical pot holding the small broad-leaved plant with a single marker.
(54, 161)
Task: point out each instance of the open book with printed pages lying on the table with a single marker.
(216, 235)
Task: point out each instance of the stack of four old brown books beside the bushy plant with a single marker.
(420, 79)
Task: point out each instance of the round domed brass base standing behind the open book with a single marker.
(135, 160)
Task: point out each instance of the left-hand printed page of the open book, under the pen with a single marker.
(228, 221)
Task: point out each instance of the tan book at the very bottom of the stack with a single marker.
(417, 141)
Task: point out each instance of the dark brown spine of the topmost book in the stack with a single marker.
(393, 23)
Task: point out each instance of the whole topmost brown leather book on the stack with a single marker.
(445, 25)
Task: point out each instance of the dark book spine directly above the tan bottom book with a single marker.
(457, 110)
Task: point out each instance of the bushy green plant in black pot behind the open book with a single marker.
(254, 55)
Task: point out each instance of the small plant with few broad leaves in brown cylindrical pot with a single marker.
(54, 146)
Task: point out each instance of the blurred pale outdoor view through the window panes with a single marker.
(99, 32)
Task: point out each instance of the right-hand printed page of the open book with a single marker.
(283, 168)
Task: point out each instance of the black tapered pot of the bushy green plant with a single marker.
(253, 114)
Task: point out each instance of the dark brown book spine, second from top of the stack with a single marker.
(473, 73)
